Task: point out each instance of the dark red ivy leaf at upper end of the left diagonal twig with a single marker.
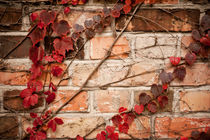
(37, 35)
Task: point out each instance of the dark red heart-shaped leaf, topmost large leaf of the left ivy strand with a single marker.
(47, 17)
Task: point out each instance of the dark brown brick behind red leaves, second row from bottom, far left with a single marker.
(12, 101)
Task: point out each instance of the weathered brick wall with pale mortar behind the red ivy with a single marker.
(143, 47)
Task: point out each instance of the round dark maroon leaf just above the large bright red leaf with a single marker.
(61, 28)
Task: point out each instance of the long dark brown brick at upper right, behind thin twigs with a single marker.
(164, 19)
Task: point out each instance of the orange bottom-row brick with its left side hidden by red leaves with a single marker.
(139, 129)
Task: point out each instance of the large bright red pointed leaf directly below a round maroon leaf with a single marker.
(62, 45)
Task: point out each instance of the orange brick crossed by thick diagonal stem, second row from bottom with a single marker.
(79, 103)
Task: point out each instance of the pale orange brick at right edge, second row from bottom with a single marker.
(194, 100)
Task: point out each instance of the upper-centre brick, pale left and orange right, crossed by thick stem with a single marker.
(100, 45)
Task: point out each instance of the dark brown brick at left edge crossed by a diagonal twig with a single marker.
(9, 42)
